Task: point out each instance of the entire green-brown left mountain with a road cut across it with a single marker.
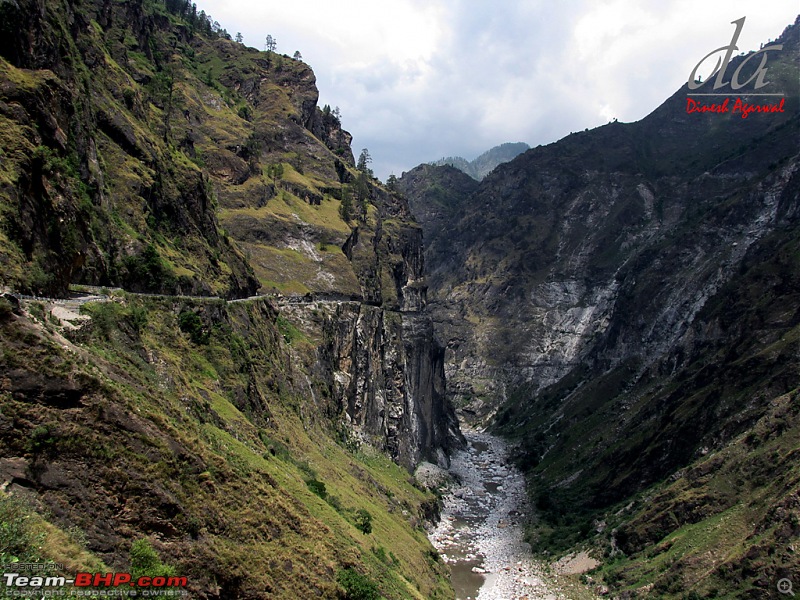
(217, 360)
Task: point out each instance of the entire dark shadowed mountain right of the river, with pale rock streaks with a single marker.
(624, 303)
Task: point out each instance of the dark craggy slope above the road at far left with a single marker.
(93, 186)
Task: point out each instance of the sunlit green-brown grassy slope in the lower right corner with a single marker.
(723, 527)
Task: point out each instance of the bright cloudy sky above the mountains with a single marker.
(418, 80)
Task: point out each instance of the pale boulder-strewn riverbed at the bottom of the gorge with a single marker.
(480, 534)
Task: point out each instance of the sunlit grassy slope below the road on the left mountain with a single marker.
(205, 450)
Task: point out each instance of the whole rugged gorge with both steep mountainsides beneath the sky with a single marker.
(227, 347)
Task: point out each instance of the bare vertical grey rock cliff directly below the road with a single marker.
(387, 373)
